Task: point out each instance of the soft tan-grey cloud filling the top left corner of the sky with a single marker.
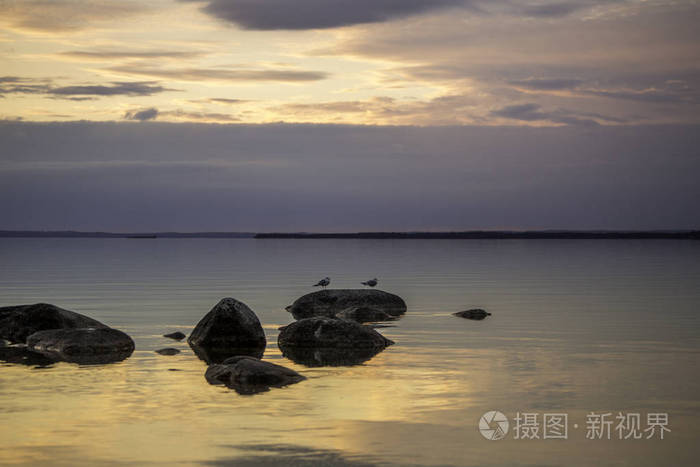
(65, 15)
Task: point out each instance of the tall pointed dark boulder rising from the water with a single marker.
(229, 329)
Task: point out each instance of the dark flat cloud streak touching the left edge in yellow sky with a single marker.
(18, 85)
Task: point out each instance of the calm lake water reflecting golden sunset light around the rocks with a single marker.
(578, 327)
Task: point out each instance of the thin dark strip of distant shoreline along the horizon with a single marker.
(465, 235)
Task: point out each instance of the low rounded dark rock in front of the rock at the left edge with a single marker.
(84, 345)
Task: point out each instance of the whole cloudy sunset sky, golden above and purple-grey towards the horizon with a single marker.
(346, 115)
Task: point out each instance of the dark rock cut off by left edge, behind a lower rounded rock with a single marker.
(18, 322)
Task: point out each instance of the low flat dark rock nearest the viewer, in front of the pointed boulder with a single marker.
(249, 375)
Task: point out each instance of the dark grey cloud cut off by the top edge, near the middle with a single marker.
(317, 14)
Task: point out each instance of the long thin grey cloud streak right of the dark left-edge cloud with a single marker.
(223, 75)
